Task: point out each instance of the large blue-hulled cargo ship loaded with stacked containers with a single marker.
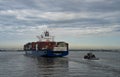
(46, 46)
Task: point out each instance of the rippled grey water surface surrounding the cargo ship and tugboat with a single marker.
(15, 64)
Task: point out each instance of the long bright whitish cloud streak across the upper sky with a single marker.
(31, 15)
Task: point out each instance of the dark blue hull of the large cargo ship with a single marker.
(46, 53)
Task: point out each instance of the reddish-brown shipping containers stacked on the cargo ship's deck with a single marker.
(44, 45)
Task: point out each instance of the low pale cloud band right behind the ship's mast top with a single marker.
(30, 31)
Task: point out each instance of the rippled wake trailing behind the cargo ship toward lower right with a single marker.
(97, 65)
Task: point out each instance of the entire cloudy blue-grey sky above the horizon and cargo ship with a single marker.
(84, 24)
